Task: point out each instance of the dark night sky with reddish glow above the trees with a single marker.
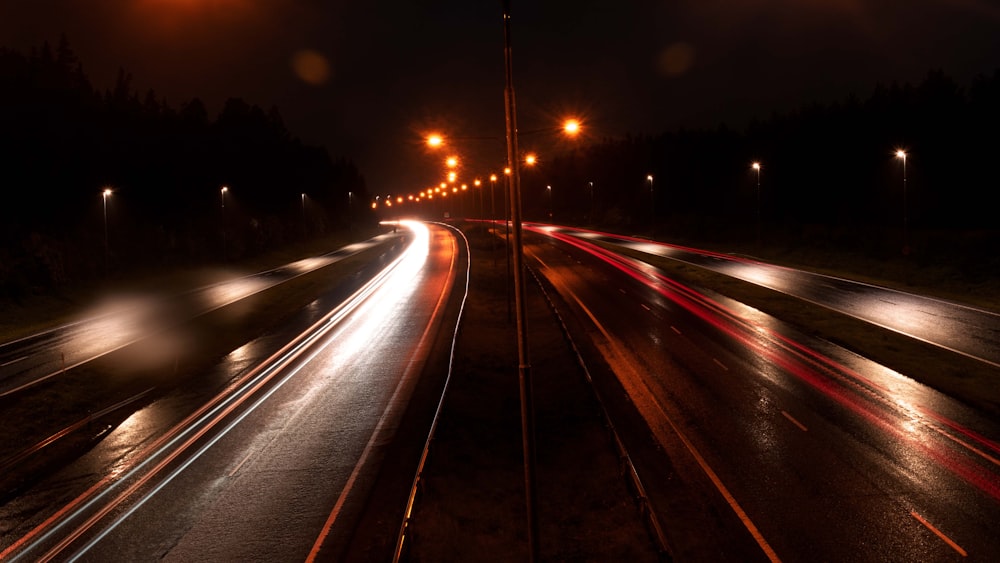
(391, 70)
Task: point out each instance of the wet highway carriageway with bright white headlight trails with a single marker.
(277, 464)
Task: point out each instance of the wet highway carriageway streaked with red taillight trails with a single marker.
(759, 443)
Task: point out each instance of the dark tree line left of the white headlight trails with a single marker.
(63, 142)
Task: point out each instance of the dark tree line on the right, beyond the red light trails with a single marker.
(826, 171)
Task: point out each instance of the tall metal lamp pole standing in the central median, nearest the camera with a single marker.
(524, 366)
